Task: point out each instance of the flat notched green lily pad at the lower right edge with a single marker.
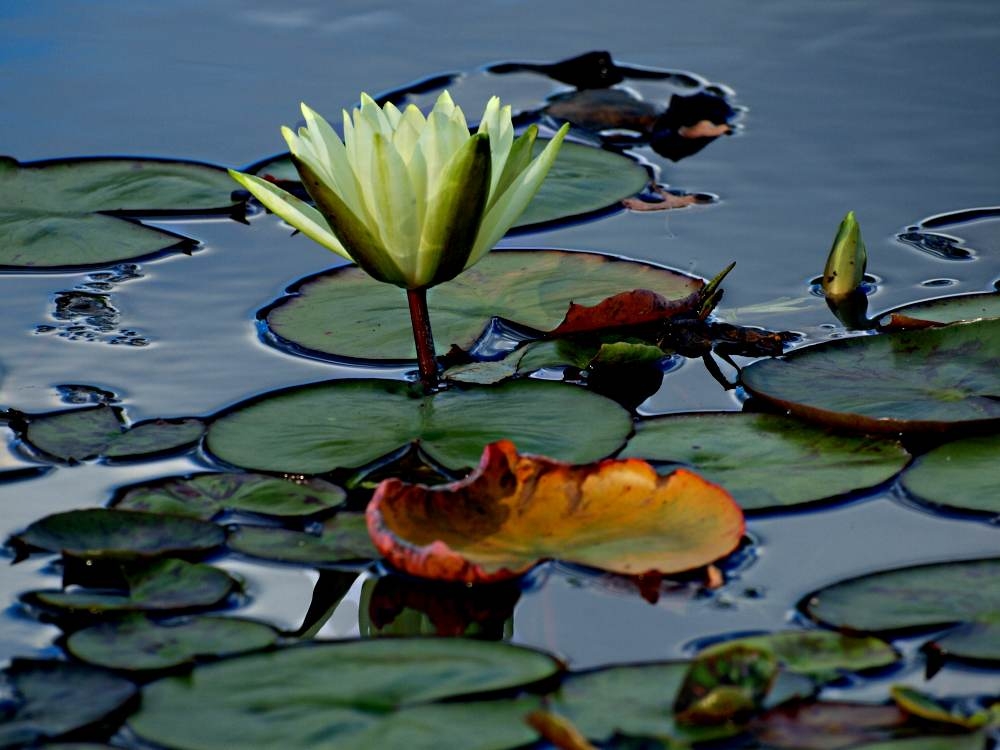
(922, 597)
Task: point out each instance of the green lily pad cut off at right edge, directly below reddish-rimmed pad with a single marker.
(960, 476)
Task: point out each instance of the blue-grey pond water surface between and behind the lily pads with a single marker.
(888, 109)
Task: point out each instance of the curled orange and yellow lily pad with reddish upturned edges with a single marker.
(516, 511)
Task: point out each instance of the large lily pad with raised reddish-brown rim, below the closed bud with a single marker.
(931, 380)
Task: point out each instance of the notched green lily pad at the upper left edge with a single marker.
(55, 214)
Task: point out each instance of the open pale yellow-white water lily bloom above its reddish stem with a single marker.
(412, 200)
